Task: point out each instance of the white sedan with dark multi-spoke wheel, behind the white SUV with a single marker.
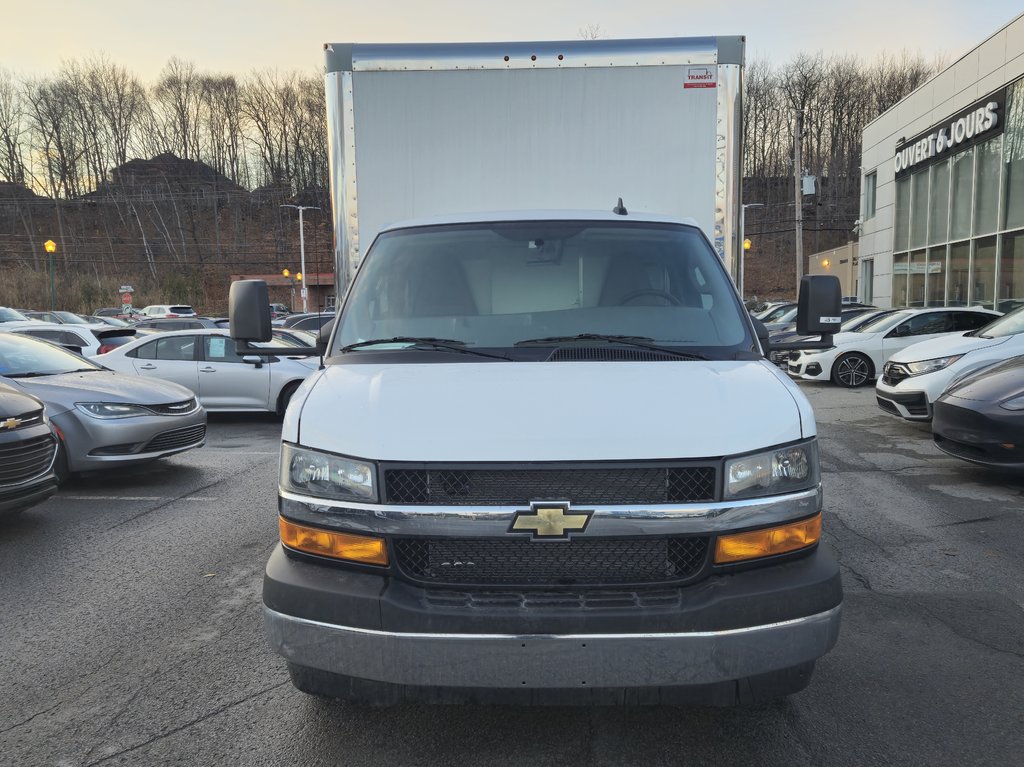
(859, 357)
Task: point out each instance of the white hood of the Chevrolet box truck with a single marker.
(548, 411)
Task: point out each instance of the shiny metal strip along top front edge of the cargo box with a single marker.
(543, 55)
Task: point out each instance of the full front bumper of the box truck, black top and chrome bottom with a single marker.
(377, 628)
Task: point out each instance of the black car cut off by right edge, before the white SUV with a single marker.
(980, 418)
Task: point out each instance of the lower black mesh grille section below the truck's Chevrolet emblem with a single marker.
(519, 562)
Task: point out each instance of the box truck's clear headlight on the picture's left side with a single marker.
(325, 476)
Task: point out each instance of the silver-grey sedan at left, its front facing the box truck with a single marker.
(103, 419)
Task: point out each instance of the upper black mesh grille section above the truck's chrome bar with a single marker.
(514, 488)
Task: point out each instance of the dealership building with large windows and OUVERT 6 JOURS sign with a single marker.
(943, 198)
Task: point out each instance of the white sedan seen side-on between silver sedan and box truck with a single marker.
(206, 362)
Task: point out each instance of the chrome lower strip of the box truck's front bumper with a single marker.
(505, 661)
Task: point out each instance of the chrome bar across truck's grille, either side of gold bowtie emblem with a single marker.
(490, 522)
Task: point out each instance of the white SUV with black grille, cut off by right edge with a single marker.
(917, 376)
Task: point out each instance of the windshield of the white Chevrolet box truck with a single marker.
(495, 285)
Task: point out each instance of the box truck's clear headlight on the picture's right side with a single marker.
(774, 473)
